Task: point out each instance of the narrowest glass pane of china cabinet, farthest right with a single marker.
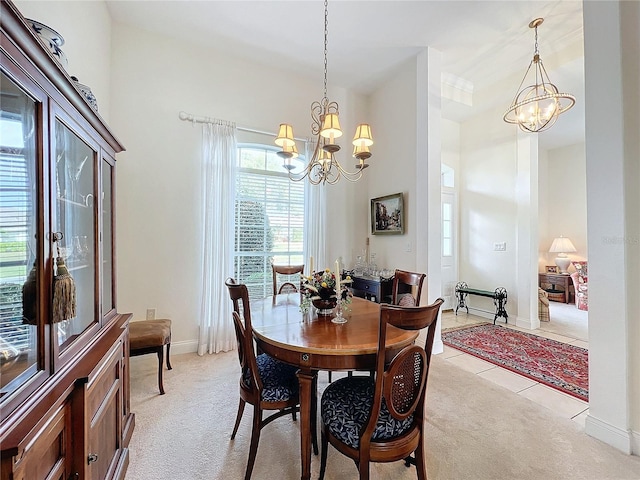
(107, 238)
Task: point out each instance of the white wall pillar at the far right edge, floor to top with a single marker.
(612, 41)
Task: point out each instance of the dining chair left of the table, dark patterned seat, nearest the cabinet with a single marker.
(265, 382)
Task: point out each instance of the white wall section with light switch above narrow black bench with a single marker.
(488, 207)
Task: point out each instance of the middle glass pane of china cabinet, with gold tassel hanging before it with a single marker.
(74, 225)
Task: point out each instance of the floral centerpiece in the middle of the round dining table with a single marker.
(319, 290)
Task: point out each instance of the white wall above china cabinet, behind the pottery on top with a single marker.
(86, 29)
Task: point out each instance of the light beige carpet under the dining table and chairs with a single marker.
(475, 430)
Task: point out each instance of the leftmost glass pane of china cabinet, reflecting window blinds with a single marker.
(18, 242)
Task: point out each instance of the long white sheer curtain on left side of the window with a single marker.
(219, 152)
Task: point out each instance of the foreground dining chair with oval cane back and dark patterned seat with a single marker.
(381, 418)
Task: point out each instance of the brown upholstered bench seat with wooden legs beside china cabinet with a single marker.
(150, 336)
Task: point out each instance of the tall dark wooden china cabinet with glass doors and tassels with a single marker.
(64, 382)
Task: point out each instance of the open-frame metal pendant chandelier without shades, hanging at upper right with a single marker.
(537, 106)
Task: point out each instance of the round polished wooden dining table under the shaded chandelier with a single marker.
(315, 343)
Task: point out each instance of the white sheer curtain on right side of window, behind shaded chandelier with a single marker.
(315, 221)
